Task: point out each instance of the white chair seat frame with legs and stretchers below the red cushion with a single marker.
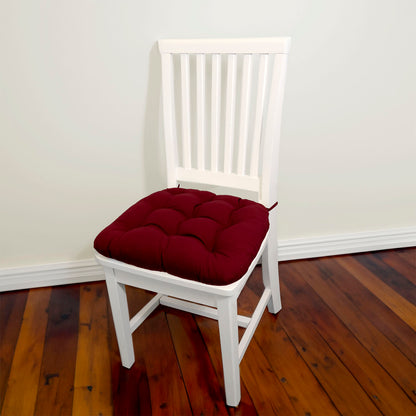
(211, 301)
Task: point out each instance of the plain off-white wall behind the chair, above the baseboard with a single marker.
(79, 102)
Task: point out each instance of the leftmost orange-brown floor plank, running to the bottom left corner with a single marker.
(25, 369)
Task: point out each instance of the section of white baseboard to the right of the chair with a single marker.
(303, 248)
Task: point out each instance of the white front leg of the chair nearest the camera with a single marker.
(227, 322)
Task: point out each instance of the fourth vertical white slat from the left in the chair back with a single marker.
(230, 112)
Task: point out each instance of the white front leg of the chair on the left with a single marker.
(120, 311)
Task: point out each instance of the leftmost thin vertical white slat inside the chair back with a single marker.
(186, 111)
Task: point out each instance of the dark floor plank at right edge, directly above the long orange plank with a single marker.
(389, 276)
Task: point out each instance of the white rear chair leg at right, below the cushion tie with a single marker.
(270, 268)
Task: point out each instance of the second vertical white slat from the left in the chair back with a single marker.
(200, 106)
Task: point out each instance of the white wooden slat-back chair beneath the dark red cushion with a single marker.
(222, 103)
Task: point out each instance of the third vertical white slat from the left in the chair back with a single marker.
(215, 109)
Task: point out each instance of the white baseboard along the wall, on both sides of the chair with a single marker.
(299, 248)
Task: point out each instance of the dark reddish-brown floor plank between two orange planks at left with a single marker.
(56, 383)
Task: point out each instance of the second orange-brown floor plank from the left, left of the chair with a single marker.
(92, 384)
